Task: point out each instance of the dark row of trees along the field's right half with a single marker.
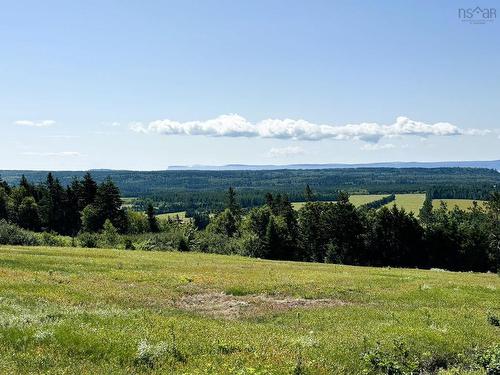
(338, 232)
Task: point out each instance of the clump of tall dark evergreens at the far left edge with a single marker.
(83, 205)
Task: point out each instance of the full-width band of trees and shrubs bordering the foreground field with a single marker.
(93, 215)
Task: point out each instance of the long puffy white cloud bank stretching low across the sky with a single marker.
(233, 125)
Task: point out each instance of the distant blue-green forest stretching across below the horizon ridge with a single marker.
(172, 191)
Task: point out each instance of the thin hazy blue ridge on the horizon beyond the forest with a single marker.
(490, 164)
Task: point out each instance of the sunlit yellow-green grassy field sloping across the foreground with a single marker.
(67, 310)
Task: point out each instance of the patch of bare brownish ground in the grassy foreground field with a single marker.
(231, 307)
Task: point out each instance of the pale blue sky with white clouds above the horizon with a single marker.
(148, 84)
